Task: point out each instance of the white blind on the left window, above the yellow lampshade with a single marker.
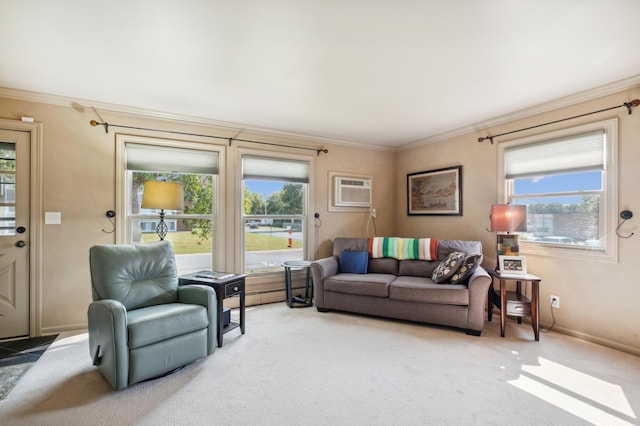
(173, 160)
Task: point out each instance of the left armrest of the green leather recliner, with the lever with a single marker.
(108, 346)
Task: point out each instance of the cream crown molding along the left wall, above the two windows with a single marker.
(228, 128)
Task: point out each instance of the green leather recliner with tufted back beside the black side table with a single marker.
(141, 323)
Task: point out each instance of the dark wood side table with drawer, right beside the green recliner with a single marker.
(224, 287)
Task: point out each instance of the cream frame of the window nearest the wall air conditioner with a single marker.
(308, 237)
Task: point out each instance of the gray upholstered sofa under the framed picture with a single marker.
(403, 289)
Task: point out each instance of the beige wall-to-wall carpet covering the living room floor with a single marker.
(301, 367)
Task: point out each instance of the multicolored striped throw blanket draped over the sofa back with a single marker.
(403, 248)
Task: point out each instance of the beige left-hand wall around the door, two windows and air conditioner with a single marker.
(79, 173)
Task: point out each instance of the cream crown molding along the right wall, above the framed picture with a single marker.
(566, 101)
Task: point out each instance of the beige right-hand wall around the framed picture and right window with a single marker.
(599, 300)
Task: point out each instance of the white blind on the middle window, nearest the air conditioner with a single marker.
(278, 169)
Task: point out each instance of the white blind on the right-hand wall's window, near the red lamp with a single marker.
(571, 154)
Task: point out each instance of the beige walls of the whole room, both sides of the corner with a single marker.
(599, 300)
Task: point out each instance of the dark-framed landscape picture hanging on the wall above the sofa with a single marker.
(435, 192)
